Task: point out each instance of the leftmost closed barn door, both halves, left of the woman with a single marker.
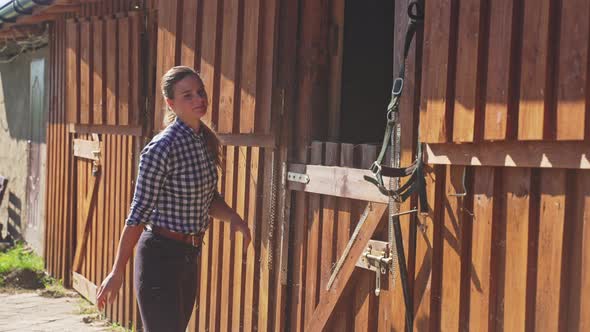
(104, 101)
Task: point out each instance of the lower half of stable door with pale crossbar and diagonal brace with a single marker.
(332, 200)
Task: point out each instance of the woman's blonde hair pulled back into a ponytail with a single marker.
(169, 80)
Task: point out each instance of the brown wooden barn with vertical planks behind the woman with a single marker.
(496, 93)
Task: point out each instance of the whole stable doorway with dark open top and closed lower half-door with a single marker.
(340, 224)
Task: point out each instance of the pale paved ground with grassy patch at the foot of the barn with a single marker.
(30, 300)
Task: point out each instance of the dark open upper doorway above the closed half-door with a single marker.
(367, 69)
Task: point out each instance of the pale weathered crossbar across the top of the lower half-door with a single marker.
(337, 181)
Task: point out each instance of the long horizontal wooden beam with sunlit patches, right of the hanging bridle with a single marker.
(574, 155)
